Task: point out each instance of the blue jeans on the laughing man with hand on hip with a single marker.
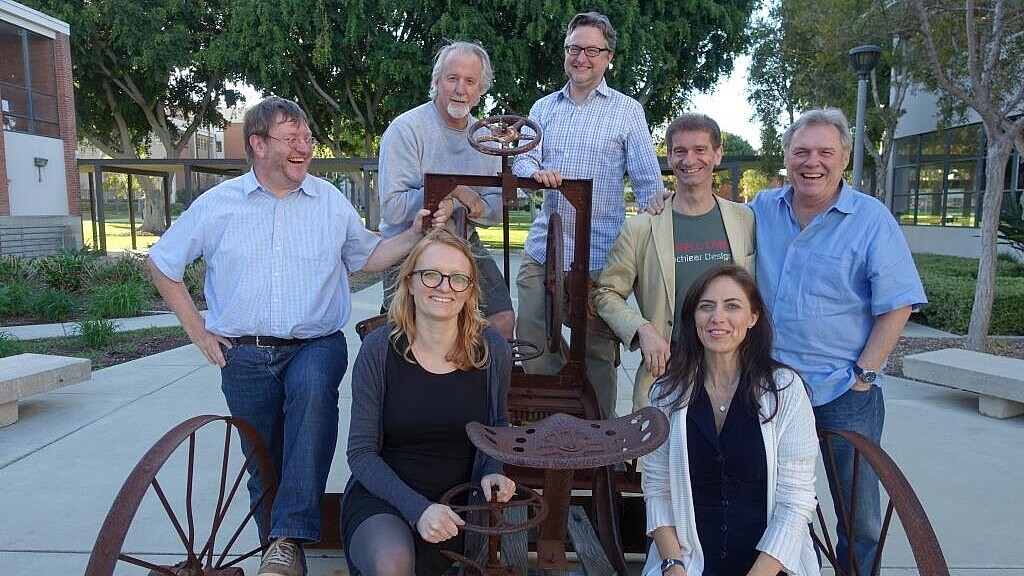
(290, 396)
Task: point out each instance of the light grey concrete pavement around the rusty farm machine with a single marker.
(63, 464)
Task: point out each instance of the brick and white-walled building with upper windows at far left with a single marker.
(39, 184)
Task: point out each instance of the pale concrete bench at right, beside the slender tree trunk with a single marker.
(998, 380)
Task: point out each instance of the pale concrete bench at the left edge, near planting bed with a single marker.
(26, 375)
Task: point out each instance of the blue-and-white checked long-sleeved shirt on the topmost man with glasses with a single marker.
(604, 139)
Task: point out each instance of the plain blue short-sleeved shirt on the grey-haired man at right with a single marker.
(826, 284)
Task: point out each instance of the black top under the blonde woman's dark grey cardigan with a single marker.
(425, 418)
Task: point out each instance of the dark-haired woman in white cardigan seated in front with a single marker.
(732, 492)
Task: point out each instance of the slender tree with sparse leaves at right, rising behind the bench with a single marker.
(972, 54)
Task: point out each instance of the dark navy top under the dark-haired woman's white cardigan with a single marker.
(730, 479)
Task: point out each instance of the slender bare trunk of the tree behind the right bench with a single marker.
(1000, 147)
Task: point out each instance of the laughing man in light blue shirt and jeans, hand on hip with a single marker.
(279, 244)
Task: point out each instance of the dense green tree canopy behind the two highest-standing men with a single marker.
(357, 65)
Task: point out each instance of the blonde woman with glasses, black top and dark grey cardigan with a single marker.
(416, 384)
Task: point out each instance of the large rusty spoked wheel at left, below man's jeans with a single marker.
(188, 496)
